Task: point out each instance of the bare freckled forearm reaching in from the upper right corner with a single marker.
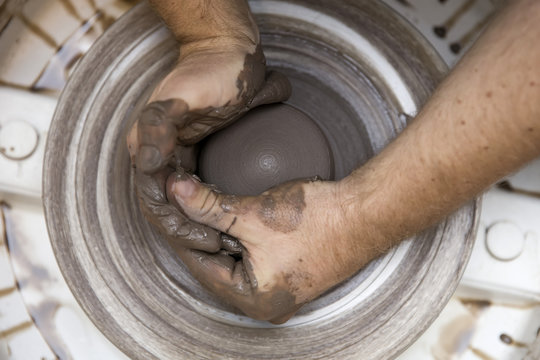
(483, 122)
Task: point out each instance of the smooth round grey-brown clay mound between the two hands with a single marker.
(270, 145)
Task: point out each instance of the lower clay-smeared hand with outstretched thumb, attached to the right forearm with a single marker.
(292, 246)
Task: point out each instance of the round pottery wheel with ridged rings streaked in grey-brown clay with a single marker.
(355, 68)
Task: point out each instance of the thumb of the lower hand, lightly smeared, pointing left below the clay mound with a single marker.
(226, 213)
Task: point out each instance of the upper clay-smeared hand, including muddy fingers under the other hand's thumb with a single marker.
(209, 88)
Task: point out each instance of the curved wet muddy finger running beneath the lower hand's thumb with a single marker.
(175, 226)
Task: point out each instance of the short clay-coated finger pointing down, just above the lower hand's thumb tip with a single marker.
(157, 133)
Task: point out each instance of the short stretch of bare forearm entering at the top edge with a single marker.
(213, 21)
